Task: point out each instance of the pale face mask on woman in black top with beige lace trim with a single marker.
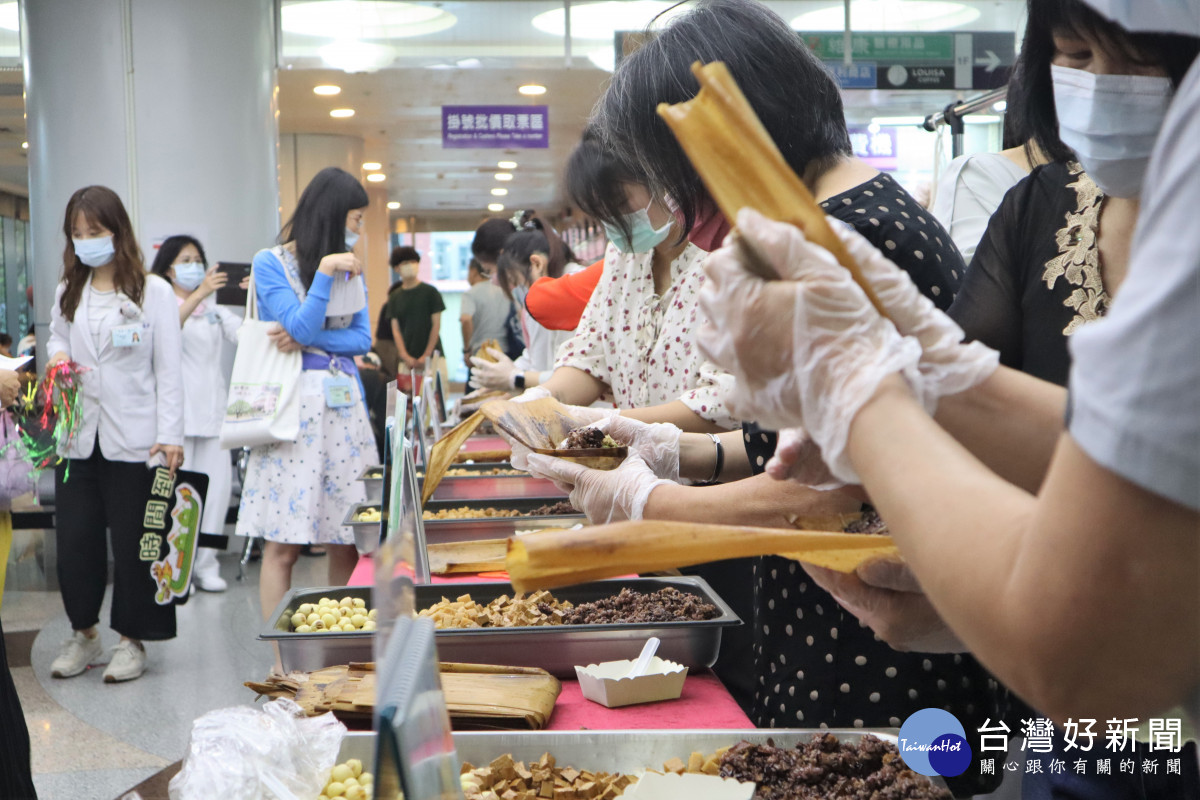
(1112, 123)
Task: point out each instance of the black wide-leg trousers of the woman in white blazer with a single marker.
(112, 495)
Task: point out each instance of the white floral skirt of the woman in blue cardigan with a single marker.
(298, 494)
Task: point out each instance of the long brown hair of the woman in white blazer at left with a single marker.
(101, 206)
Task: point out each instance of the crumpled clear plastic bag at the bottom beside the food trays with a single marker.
(244, 754)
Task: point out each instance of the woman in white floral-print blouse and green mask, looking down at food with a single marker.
(634, 341)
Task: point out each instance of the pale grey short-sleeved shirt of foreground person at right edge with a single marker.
(1136, 375)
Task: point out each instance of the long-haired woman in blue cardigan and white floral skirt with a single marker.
(297, 494)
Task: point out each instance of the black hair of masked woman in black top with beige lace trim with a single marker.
(1174, 52)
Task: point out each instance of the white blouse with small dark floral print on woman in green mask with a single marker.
(644, 346)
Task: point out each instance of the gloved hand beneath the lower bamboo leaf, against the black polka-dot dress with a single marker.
(886, 597)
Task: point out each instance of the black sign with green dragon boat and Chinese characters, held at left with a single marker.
(171, 526)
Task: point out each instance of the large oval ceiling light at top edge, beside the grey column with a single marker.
(373, 20)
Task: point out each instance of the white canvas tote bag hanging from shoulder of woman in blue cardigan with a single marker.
(265, 392)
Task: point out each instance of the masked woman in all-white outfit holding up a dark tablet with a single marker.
(182, 262)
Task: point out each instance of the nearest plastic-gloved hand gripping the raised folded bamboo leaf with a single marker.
(806, 352)
